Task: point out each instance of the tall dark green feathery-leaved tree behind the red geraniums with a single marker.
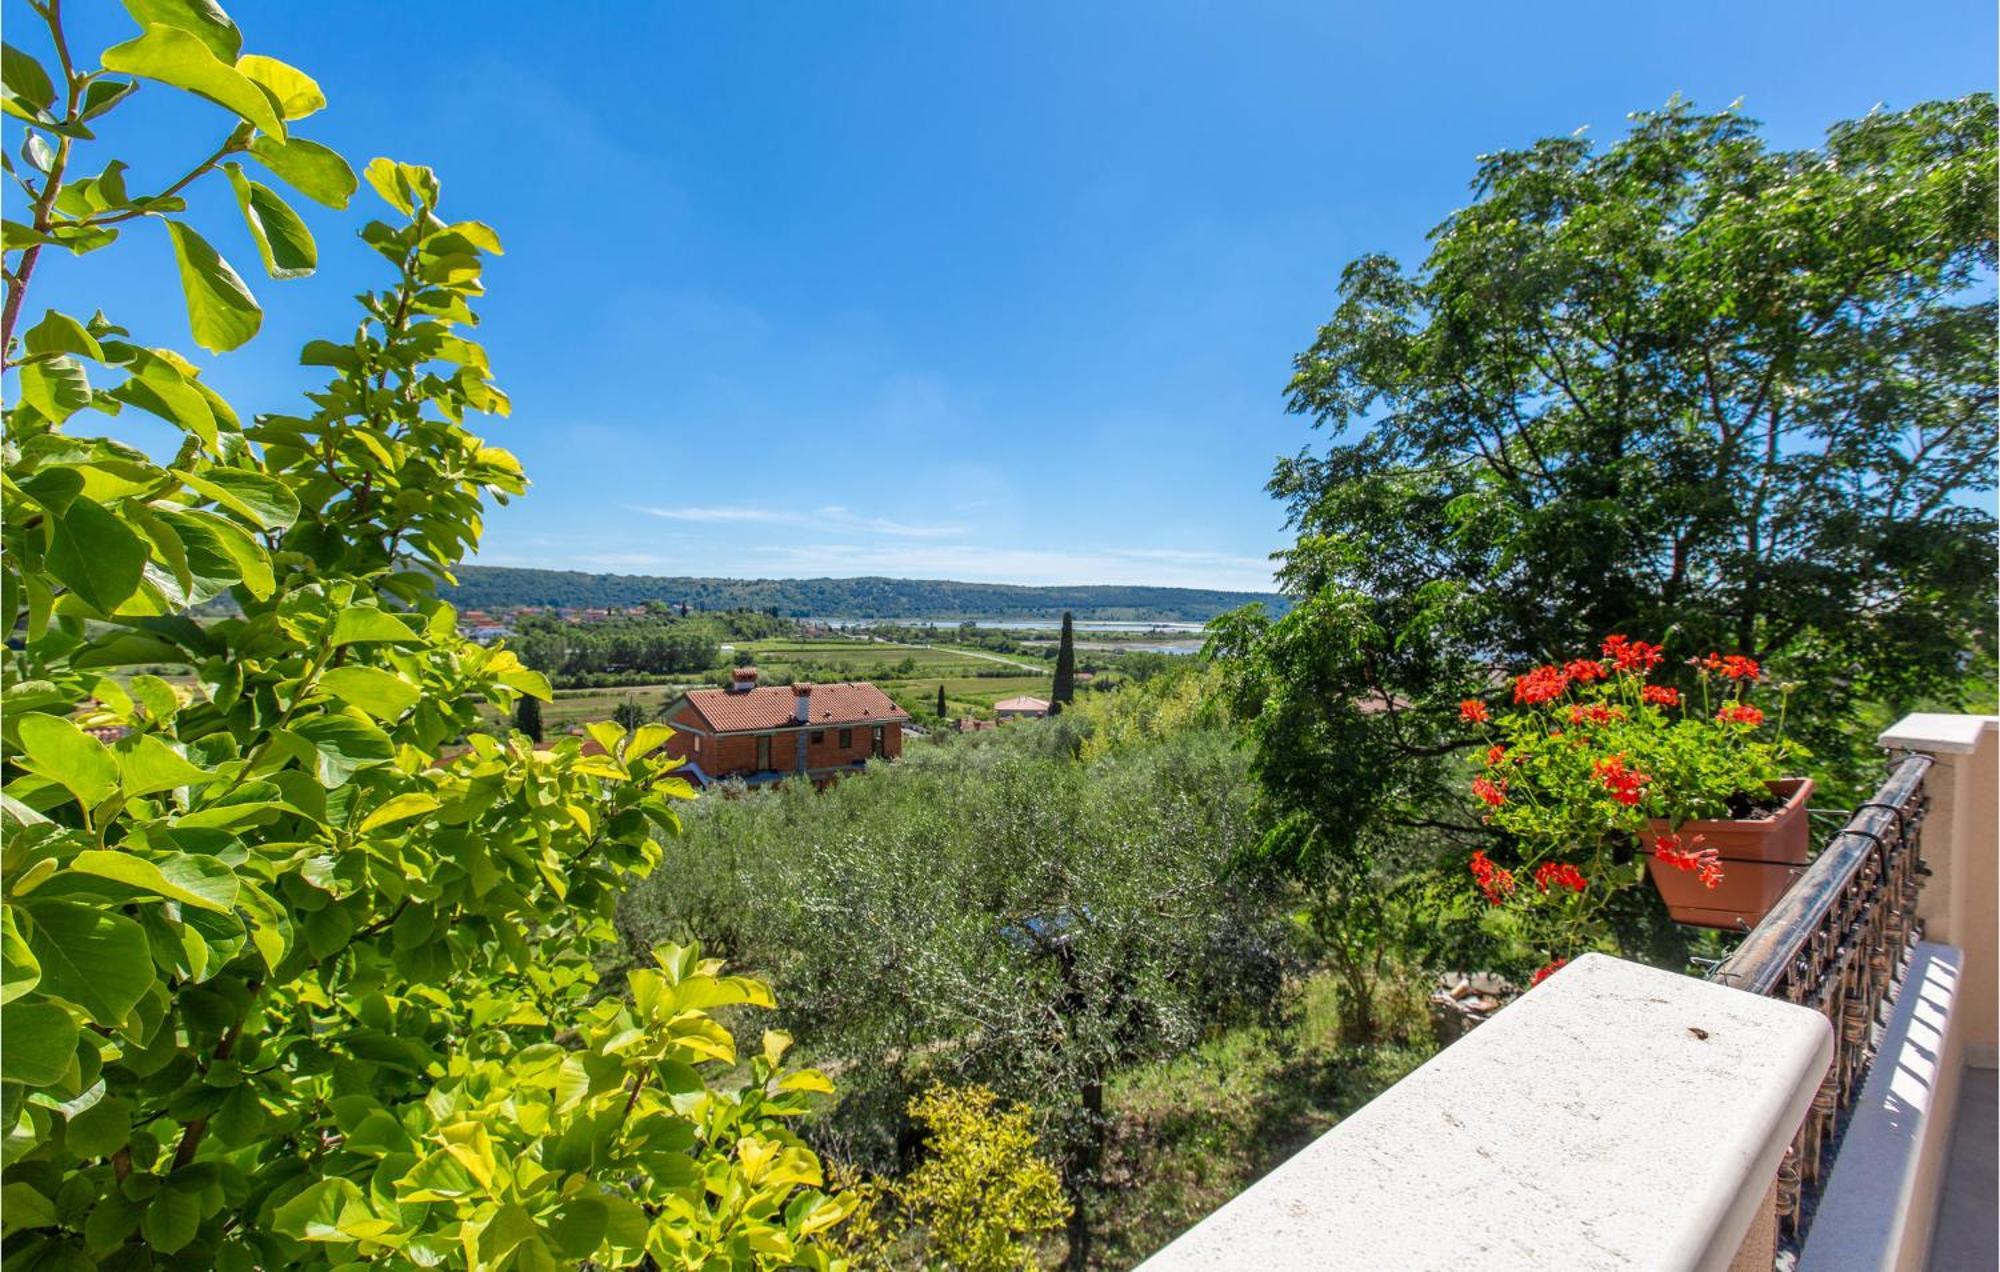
(1683, 387)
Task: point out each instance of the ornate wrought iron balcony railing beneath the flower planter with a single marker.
(1839, 943)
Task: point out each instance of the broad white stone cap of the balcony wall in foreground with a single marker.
(1615, 1117)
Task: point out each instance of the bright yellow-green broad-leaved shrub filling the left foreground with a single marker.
(285, 985)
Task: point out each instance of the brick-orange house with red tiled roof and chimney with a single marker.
(771, 733)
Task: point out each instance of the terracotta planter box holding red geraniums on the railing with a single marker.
(1759, 859)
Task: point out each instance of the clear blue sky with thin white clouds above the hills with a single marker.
(941, 291)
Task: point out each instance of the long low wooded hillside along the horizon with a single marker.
(921, 599)
